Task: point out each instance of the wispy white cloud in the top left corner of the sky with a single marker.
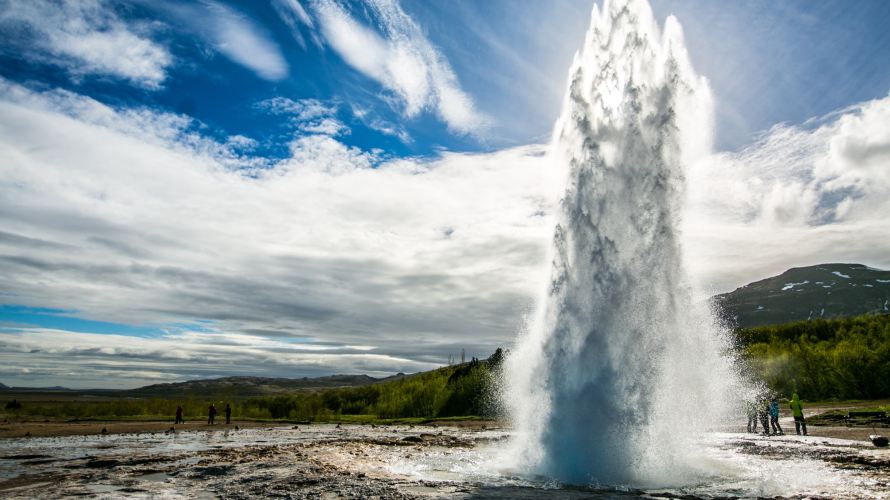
(87, 38)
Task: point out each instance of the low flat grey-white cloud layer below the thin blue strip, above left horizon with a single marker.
(42, 357)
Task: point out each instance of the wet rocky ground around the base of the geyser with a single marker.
(326, 462)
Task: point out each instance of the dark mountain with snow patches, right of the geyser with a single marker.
(825, 291)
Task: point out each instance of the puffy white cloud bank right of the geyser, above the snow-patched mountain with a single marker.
(796, 196)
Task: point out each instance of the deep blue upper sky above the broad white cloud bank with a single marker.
(768, 62)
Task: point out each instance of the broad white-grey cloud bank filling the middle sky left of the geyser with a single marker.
(132, 216)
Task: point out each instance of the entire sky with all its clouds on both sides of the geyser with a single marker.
(318, 181)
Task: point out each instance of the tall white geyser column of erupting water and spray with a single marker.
(621, 370)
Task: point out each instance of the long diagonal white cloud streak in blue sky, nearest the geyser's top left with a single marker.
(403, 60)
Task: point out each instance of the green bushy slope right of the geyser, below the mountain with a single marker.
(840, 359)
